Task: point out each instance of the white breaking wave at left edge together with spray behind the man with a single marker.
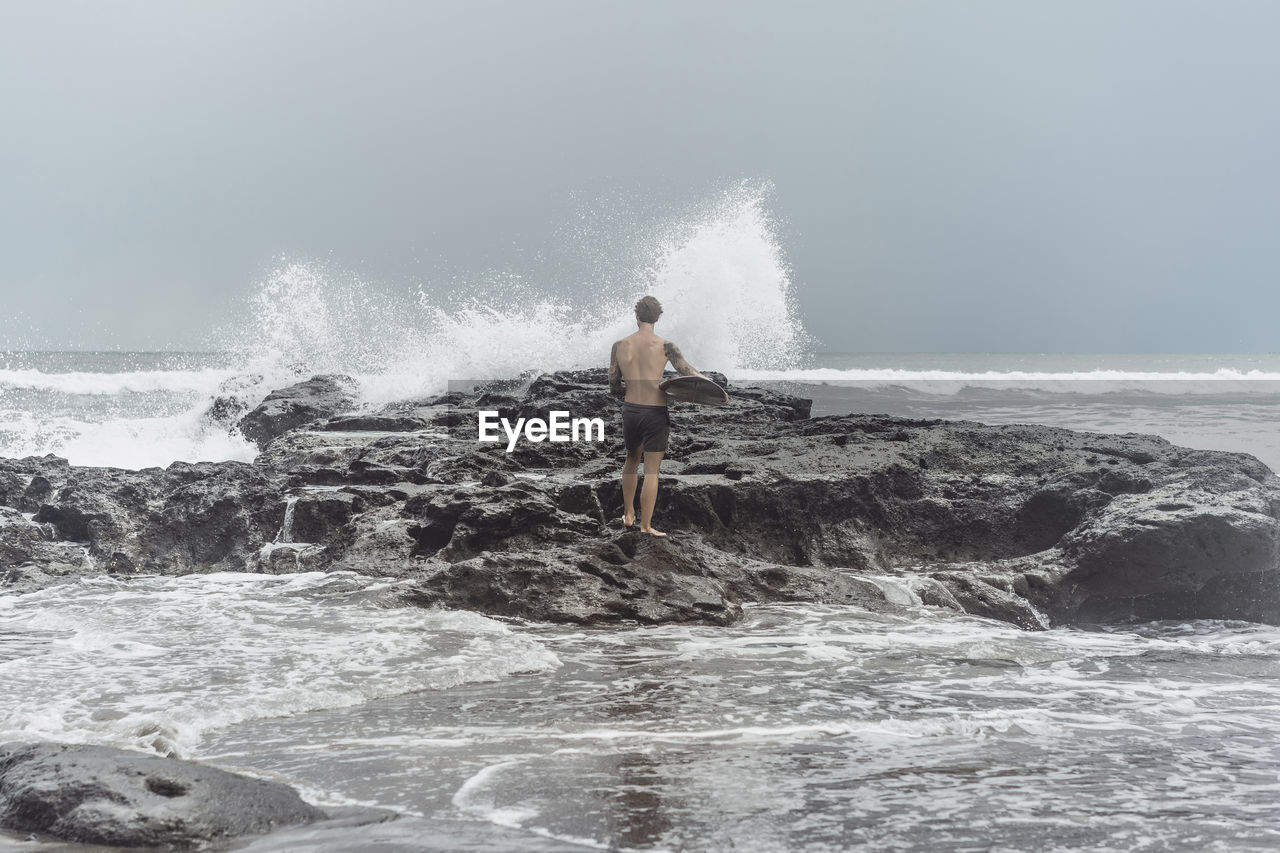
(719, 270)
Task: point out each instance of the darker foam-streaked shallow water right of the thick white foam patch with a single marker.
(811, 728)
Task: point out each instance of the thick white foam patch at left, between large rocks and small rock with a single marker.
(159, 663)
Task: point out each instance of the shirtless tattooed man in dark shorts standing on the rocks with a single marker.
(636, 370)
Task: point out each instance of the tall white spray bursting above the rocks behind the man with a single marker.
(721, 276)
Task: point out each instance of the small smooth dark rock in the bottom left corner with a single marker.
(104, 796)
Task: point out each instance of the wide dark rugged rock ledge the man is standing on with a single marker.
(1028, 524)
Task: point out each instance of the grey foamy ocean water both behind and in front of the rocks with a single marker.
(802, 728)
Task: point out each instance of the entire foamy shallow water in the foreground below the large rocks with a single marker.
(802, 728)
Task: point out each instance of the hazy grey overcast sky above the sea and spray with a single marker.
(980, 176)
